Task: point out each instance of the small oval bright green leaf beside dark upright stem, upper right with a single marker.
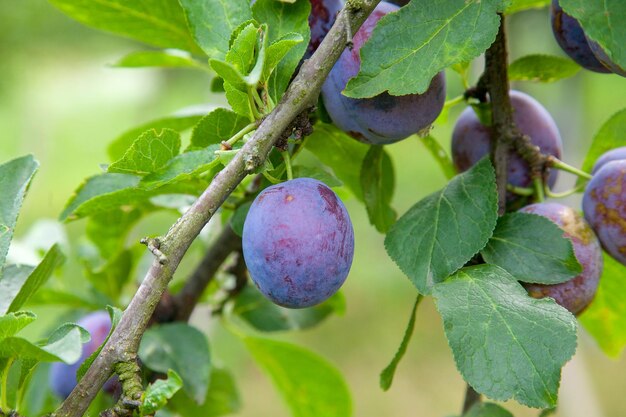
(542, 68)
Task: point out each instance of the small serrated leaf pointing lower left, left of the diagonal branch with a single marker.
(104, 188)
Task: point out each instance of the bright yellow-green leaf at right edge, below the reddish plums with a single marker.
(605, 318)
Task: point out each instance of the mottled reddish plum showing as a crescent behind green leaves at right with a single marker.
(577, 293)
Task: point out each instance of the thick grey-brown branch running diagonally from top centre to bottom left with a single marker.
(303, 92)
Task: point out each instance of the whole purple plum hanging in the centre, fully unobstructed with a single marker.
(298, 243)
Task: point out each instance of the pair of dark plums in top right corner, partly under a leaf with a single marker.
(584, 51)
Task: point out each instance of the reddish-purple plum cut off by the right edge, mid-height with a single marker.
(604, 204)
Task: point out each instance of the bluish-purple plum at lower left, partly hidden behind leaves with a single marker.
(62, 377)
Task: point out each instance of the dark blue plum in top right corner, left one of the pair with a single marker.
(571, 38)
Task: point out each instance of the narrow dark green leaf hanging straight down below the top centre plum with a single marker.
(378, 182)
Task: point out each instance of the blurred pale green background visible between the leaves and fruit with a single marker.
(62, 101)
